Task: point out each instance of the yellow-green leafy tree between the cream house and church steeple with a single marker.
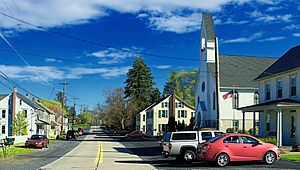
(182, 83)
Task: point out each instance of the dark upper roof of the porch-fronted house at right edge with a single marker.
(290, 60)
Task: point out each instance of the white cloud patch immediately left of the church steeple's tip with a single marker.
(176, 23)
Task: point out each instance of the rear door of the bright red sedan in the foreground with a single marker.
(233, 145)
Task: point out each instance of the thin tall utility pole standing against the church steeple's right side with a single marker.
(217, 84)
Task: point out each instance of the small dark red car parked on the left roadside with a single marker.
(37, 141)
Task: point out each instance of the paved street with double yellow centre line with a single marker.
(100, 150)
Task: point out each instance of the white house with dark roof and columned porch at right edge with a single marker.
(279, 107)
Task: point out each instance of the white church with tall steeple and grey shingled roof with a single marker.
(235, 74)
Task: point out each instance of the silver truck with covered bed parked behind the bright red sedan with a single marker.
(183, 144)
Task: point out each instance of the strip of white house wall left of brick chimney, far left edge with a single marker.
(4, 109)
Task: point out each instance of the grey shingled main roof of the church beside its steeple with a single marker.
(240, 71)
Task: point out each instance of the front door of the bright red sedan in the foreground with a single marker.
(252, 150)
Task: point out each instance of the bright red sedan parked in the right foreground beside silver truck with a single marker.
(237, 147)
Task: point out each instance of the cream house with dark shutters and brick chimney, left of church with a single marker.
(157, 115)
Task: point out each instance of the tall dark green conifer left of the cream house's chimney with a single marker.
(139, 85)
